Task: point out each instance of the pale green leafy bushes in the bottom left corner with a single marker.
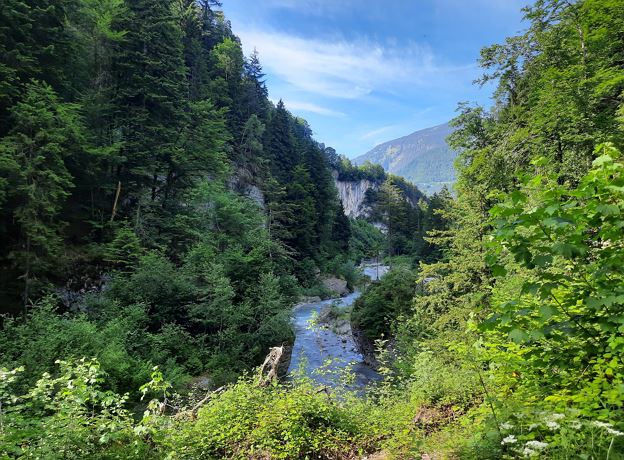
(67, 416)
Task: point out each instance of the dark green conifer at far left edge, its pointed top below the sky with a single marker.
(33, 157)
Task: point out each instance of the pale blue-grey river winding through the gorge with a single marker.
(322, 354)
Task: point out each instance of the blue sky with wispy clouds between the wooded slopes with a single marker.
(366, 71)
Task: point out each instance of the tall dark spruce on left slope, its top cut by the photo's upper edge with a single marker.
(151, 89)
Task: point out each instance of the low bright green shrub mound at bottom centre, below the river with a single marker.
(247, 421)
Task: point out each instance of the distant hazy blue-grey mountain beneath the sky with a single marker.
(422, 157)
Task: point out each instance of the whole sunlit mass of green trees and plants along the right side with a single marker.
(527, 297)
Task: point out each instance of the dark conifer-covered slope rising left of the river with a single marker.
(155, 207)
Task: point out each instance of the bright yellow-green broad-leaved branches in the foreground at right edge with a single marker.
(567, 259)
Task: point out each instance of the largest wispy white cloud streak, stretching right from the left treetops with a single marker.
(343, 69)
